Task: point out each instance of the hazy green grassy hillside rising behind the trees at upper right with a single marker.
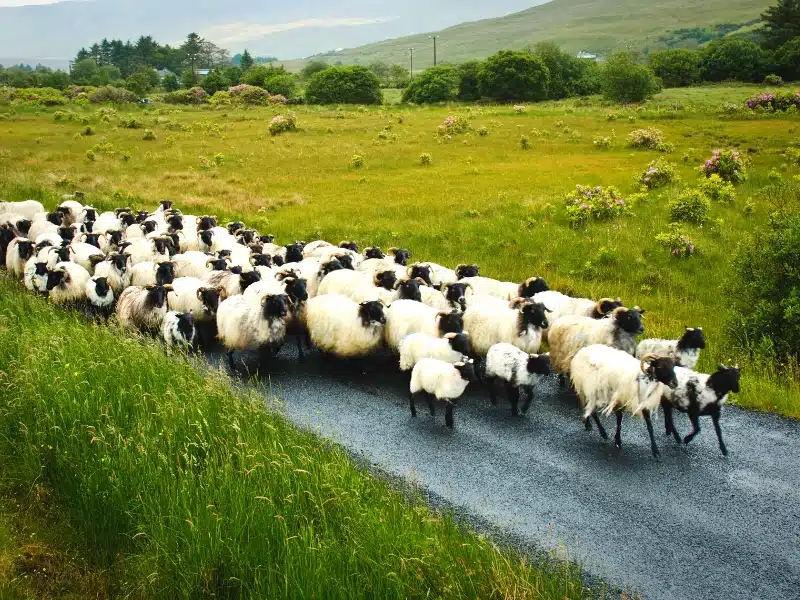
(597, 26)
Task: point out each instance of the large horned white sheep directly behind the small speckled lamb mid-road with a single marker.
(491, 321)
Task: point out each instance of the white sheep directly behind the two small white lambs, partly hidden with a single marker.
(408, 316)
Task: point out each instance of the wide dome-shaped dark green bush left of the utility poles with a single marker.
(344, 85)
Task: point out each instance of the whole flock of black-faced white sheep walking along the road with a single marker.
(192, 281)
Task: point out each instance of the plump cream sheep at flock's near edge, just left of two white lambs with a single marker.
(338, 325)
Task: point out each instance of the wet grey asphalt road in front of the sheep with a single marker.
(690, 525)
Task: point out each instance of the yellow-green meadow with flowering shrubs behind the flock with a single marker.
(358, 173)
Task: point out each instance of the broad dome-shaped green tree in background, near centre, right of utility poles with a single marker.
(510, 75)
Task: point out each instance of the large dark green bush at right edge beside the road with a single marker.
(765, 289)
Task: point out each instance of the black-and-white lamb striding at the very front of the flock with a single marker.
(699, 394)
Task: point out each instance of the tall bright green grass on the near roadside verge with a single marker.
(190, 490)
